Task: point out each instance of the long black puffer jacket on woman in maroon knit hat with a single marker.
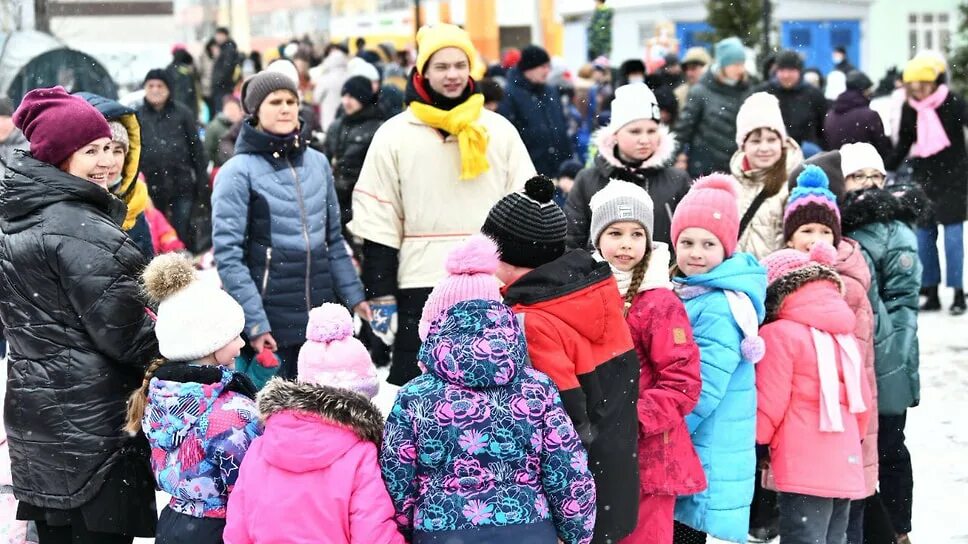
(79, 336)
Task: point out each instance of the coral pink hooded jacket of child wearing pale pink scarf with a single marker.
(804, 459)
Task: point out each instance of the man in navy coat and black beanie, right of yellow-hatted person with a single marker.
(535, 109)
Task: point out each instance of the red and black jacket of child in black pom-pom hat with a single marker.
(577, 335)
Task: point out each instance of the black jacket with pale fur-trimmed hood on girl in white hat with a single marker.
(664, 183)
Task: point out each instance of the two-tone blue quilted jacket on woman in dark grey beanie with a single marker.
(276, 231)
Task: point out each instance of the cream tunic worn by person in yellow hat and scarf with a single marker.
(409, 196)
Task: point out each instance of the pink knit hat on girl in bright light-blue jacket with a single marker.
(710, 204)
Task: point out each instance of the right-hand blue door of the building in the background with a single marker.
(816, 40)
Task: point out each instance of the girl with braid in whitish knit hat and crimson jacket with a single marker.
(669, 382)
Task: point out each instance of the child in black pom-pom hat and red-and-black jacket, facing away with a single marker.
(576, 334)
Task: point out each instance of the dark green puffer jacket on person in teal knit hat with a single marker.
(707, 126)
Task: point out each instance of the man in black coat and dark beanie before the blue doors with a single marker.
(803, 106)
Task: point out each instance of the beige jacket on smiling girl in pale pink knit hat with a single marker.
(764, 235)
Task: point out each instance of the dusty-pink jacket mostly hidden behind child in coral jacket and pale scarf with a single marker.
(853, 270)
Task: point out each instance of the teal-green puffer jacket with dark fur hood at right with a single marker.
(880, 221)
